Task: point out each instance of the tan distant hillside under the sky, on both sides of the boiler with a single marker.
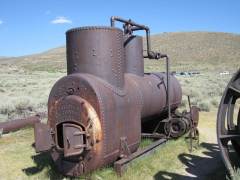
(188, 50)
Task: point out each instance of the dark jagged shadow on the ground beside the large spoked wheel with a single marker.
(198, 167)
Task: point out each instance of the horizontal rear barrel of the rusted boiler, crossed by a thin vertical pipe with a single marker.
(152, 90)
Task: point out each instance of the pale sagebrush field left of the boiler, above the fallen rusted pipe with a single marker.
(23, 92)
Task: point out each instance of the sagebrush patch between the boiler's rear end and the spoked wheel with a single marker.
(205, 90)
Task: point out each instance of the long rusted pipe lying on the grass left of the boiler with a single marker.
(14, 125)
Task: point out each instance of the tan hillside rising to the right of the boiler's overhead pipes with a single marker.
(218, 50)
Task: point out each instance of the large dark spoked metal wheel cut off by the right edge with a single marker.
(228, 123)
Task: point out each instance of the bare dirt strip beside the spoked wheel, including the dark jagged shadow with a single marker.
(207, 165)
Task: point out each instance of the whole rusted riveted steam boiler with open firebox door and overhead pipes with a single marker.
(98, 112)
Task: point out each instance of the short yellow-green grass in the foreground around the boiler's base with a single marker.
(18, 158)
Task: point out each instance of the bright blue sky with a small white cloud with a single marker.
(31, 26)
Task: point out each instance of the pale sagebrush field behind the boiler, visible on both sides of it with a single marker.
(24, 92)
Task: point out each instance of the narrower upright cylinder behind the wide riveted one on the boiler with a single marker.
(134, 55)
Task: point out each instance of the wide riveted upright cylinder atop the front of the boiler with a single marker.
(98, 51)
